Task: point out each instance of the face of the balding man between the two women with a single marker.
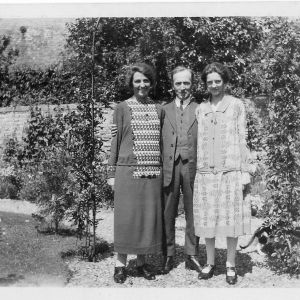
(182, 84)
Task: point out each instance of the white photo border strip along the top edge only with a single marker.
(77, 9)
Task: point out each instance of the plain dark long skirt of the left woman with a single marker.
(137, 213)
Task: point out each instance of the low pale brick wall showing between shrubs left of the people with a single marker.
(14, 121)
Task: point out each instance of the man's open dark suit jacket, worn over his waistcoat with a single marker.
(169, 139)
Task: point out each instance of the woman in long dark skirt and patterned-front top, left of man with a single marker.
(135, 175)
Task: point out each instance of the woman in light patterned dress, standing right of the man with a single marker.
(222, 171)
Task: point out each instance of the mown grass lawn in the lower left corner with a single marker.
(29, 258)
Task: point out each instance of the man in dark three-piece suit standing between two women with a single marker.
(179, 153)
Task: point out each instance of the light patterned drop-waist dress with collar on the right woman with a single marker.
(223, 166)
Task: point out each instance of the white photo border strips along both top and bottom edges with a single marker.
(154, 8)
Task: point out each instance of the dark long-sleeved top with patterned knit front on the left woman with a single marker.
(142, 125)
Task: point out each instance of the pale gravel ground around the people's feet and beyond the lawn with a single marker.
(252, 267)
